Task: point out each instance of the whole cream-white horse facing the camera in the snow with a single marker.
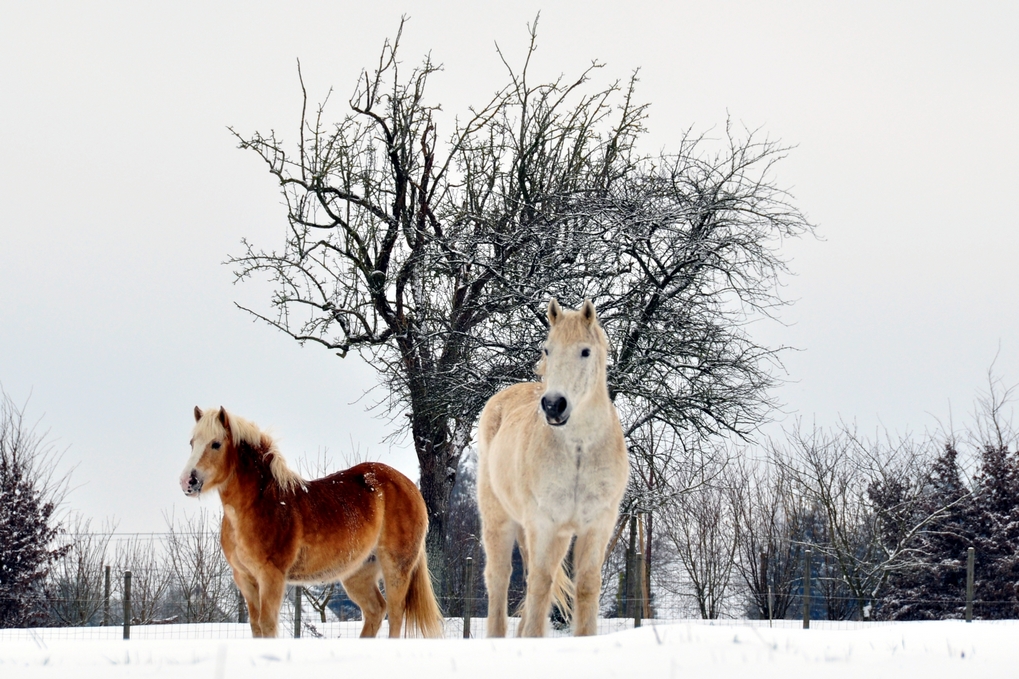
(553, 464)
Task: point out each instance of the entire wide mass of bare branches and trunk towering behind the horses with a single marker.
(435, 259)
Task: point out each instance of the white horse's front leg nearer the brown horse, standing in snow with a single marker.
(546, 551)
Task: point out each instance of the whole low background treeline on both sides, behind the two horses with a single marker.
(707, 531)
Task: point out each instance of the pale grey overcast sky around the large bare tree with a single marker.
(122, 194)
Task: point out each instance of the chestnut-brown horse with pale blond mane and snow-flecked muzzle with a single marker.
(357, 528)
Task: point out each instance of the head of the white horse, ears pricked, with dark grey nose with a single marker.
(573, 368)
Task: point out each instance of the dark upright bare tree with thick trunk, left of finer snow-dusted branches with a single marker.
(404, 252)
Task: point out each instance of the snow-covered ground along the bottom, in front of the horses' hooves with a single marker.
(949, 649)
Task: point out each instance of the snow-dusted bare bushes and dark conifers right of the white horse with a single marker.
(888, 524)
